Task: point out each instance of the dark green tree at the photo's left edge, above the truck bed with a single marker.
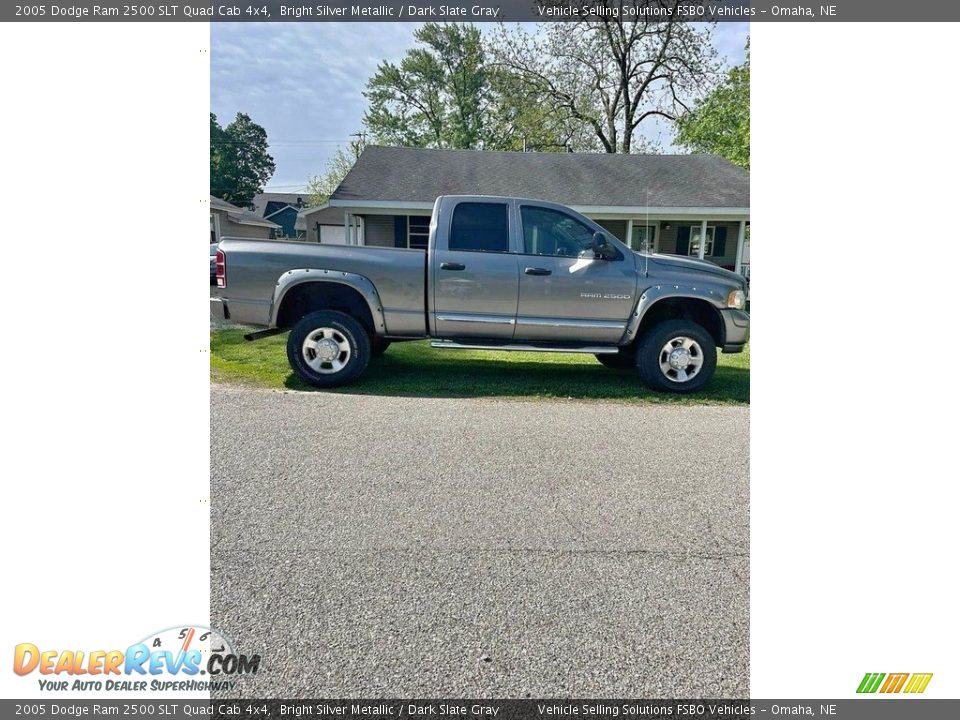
(239, 162)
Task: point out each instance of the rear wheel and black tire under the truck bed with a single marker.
(339, 329)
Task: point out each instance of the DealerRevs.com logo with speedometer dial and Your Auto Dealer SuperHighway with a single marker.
(182, 658)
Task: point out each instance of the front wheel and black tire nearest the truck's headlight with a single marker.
(651, 351)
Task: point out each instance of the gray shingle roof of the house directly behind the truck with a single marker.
(580, 179)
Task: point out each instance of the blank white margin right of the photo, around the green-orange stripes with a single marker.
(854, 375)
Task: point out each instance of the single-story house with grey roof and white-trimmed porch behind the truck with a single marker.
(695, 205)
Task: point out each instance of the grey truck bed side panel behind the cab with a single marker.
(253, 267)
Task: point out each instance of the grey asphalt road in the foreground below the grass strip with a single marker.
(397, 547)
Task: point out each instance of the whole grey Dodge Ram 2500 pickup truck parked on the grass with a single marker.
(499, 273)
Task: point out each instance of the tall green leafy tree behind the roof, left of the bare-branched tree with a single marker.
(435, 96)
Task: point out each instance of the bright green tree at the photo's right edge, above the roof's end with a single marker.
(721, 123)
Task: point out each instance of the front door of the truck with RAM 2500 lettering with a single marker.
(566, 294)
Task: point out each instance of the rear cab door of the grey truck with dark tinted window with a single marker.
(475, 275)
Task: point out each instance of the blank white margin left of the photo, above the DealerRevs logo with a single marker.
(105, 280)
